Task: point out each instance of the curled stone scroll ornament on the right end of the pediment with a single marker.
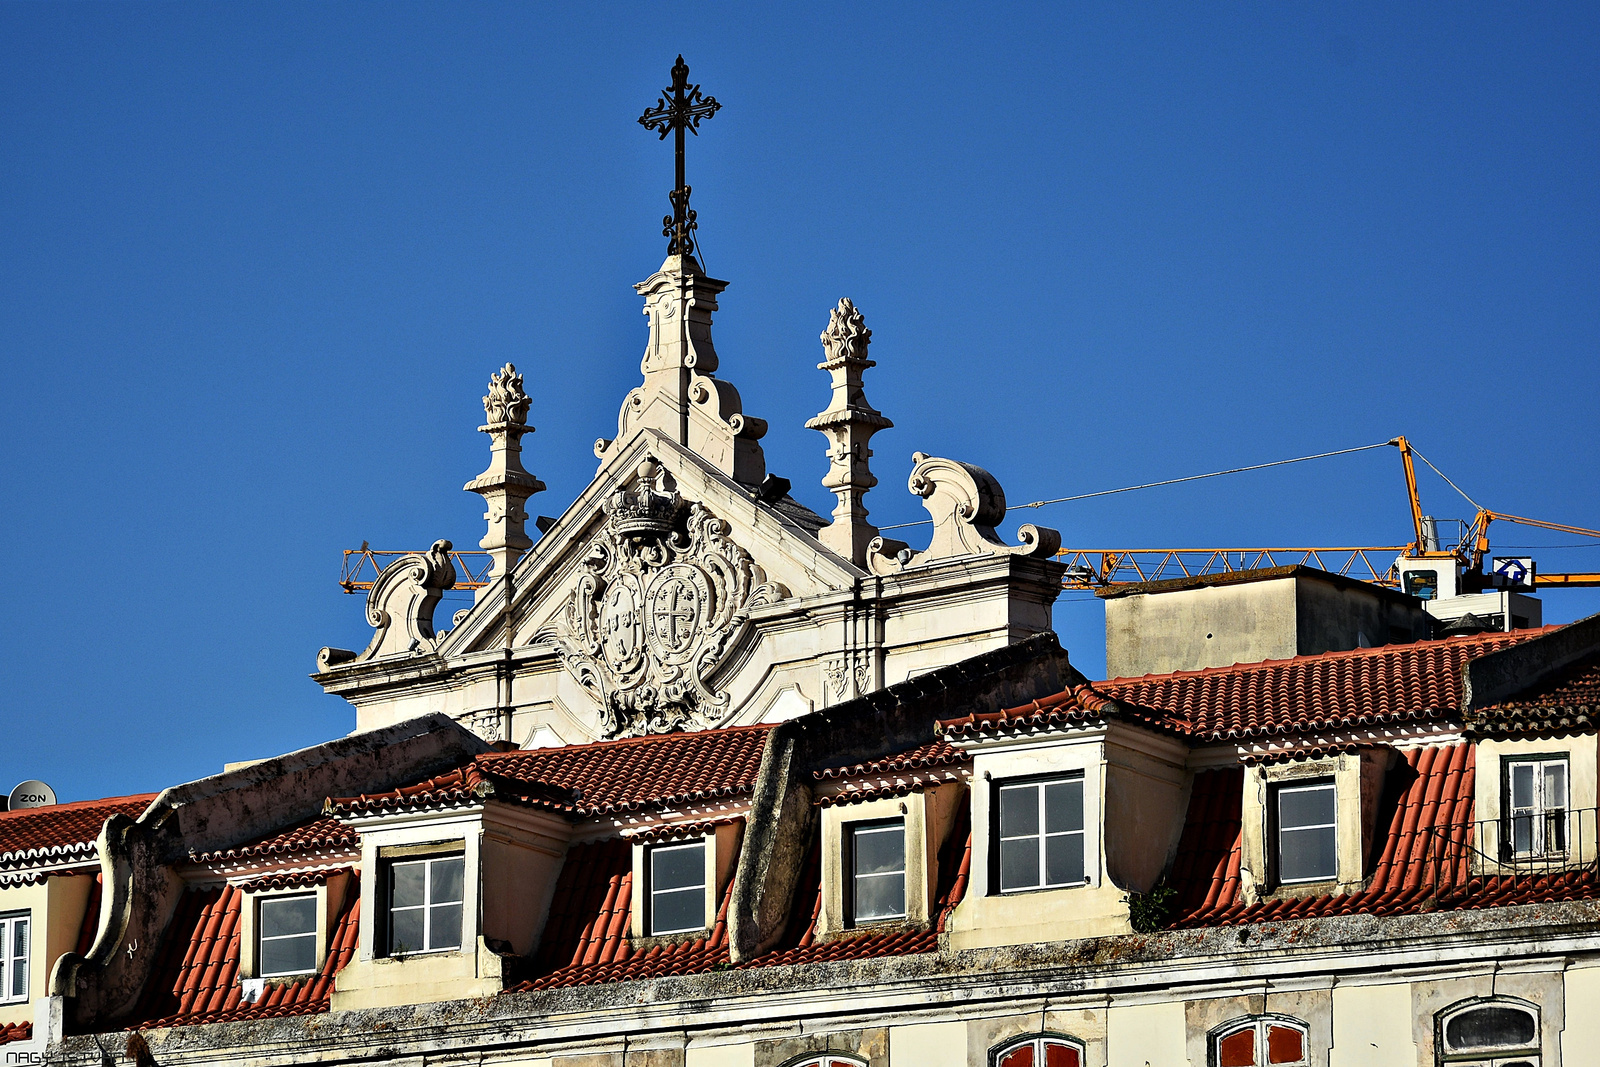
(966, 505)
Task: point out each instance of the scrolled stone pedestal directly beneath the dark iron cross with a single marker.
(681, 398)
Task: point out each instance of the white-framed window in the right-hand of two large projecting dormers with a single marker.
(1042, 834)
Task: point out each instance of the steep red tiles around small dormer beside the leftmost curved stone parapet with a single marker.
(196, 978)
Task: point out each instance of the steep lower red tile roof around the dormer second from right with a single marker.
(1418, 863)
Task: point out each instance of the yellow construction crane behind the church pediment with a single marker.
(1100, 569)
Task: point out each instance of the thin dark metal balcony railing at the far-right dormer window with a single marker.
(1521, 847)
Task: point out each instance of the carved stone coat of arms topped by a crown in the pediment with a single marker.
(665, 596)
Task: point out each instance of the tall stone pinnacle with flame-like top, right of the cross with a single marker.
(849, 425)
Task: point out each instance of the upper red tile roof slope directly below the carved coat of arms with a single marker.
(598, 778)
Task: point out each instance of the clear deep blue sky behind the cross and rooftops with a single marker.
(258, 262)
